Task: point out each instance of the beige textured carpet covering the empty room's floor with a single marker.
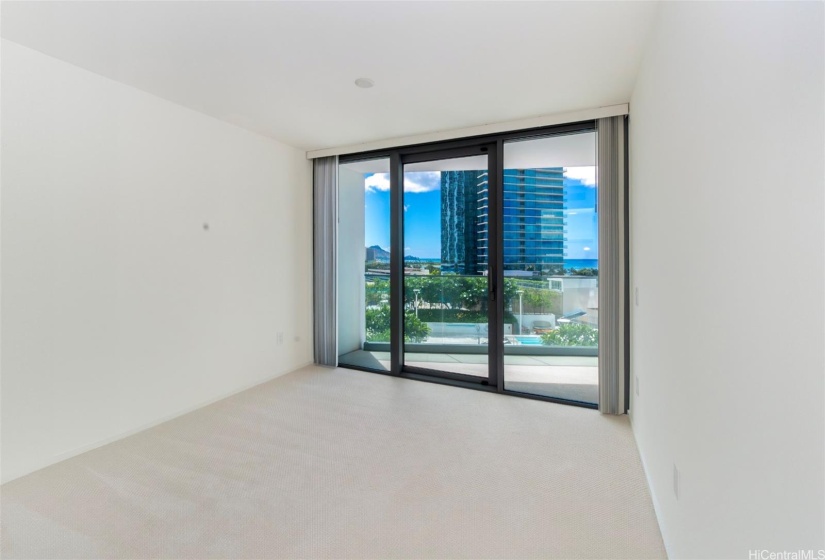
(334, 463)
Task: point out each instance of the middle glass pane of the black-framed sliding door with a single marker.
(446, 308)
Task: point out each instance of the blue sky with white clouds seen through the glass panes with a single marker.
(422, 209)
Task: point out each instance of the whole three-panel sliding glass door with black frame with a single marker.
(475, 262)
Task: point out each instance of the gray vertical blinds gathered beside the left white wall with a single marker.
(325, 260)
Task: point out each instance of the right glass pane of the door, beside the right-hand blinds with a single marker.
(551, 263)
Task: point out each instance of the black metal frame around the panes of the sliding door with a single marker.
(494, 144)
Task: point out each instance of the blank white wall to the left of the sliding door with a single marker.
(118, 308)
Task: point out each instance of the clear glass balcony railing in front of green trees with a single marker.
(452, 309)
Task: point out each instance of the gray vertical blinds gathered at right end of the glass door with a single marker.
(610, 169)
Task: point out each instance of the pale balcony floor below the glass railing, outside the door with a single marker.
(573, 378)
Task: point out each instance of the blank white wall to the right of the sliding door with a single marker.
(727, 144)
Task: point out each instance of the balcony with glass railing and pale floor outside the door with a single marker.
(550, 335)
